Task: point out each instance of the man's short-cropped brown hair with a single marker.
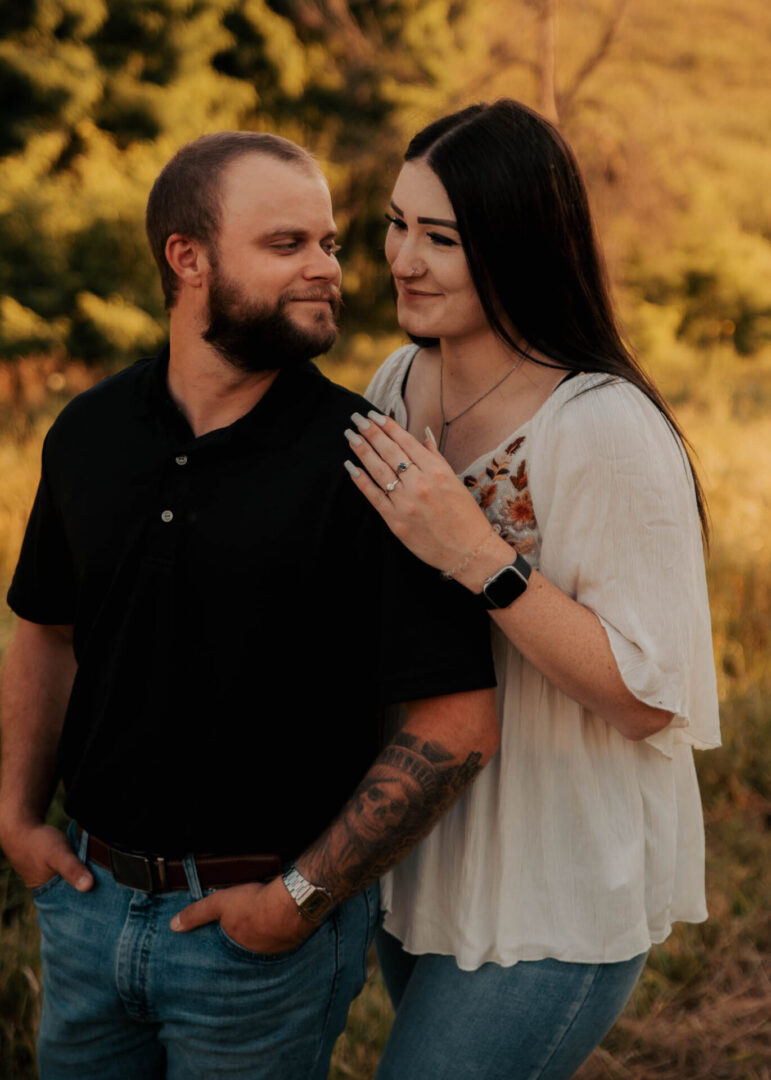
(186, 197)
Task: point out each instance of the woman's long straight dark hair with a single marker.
(526, 227)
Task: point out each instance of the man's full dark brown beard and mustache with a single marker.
(255, 337)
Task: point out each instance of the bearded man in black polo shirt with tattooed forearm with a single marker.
(211, 620)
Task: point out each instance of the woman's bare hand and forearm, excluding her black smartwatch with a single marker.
(435, 516)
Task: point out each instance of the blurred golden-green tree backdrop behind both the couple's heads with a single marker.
(98, 96)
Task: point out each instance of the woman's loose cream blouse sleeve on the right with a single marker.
(615, 501)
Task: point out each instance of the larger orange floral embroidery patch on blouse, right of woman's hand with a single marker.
(503, 493)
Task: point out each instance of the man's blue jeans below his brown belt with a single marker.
(127, 998)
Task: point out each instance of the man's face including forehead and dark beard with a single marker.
(274, 280)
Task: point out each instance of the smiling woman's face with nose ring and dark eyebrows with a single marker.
(436, 294)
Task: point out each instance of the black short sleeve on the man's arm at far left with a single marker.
(44, 587)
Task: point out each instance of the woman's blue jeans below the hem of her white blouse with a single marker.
(534, 1021)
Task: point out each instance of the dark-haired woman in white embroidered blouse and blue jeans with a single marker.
(560, 492)
